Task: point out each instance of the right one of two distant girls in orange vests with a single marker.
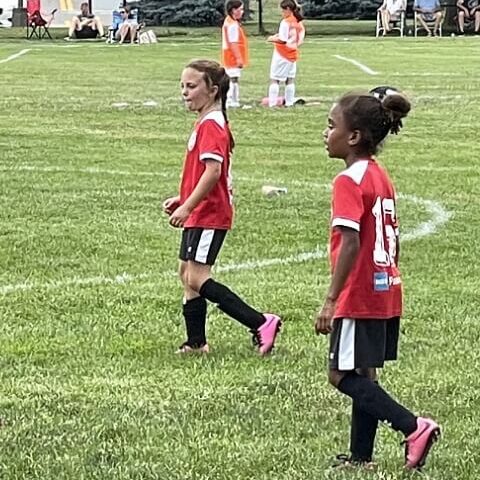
(290, 36)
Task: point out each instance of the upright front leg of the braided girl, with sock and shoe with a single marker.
(194, 313)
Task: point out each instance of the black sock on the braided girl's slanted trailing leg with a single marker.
(231, 304)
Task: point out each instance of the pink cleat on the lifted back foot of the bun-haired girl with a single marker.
(418, 444)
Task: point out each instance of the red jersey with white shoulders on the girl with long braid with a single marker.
(210, 140)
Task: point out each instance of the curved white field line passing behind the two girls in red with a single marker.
(439, 216)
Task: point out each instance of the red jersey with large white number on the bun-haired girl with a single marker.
(364, 199)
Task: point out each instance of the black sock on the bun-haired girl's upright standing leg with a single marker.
(362, 434)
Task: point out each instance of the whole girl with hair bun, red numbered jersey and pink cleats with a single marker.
(364, 302)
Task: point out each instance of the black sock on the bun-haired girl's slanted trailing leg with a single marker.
(371, 398)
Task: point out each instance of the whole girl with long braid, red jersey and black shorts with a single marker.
(204, 211)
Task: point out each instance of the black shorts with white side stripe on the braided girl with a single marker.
(201, 245)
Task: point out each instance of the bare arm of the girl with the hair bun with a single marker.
(345, 261)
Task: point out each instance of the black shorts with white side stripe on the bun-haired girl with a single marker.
(365, 343)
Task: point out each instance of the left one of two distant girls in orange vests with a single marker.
(234, 49)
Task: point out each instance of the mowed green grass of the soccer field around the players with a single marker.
(91, 309)
